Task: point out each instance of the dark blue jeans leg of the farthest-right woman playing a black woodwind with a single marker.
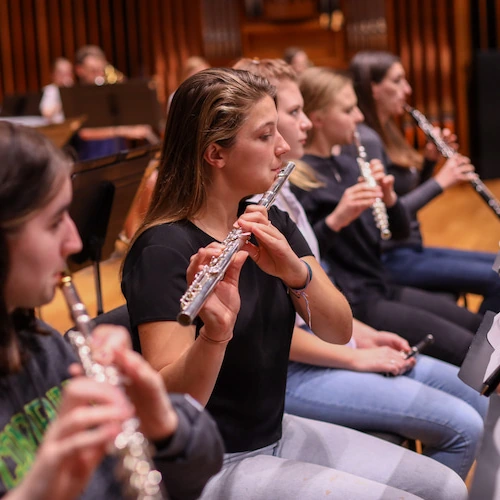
(446, 269)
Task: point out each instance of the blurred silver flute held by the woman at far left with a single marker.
(135, 471)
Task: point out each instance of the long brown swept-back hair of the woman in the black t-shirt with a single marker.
(209, 107)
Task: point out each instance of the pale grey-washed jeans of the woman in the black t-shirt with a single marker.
(316, 460)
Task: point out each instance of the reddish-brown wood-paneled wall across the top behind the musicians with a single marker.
(435, 39)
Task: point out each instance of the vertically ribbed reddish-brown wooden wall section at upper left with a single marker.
(141, 38)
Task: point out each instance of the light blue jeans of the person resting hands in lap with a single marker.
(429, 403)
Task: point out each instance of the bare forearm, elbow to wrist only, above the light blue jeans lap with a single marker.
(309, 349)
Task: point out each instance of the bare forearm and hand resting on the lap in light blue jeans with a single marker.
(307, 348)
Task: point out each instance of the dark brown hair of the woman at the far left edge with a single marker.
(30, 177)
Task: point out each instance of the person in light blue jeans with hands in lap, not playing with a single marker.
(423, 399)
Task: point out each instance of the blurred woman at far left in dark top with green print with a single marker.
(55, 424)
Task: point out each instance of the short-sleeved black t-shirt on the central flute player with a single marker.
(248, 399)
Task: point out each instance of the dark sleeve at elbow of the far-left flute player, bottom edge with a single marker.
(193, 454)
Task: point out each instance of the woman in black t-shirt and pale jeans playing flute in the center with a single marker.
(221, 146)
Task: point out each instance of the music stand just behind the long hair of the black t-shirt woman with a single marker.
(103, 191)
